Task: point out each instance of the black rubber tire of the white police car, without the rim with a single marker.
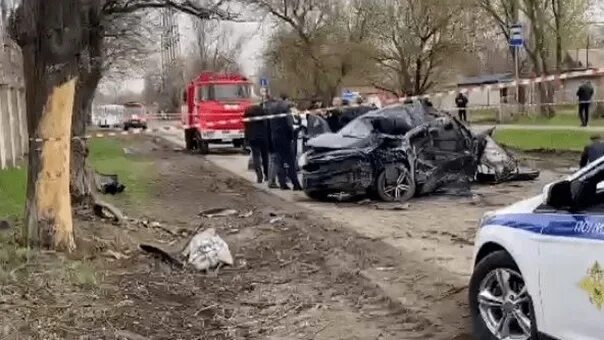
(496, 261)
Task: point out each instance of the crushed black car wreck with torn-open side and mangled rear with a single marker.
(402, 151)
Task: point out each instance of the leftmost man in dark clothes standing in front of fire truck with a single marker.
(258, 140)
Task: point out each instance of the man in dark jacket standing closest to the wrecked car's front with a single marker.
(282, 137)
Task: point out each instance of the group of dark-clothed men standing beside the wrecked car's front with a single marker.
(273, 143)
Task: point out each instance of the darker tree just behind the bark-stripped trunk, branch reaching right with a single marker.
(120, 30)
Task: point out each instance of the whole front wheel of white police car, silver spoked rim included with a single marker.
(501, 307)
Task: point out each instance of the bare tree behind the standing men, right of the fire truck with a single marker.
(318, 44)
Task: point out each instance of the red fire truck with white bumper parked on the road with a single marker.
(212, 110)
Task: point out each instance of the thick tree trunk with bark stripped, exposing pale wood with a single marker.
(49, 33)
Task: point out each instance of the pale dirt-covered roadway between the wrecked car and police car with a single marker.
(420, 256)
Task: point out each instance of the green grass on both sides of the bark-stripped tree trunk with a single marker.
(106, 156)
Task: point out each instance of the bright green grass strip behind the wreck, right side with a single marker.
(543, 140)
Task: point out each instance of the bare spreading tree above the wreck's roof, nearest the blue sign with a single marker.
(414, 39)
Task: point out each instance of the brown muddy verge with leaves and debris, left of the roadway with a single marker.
(300, 277)
